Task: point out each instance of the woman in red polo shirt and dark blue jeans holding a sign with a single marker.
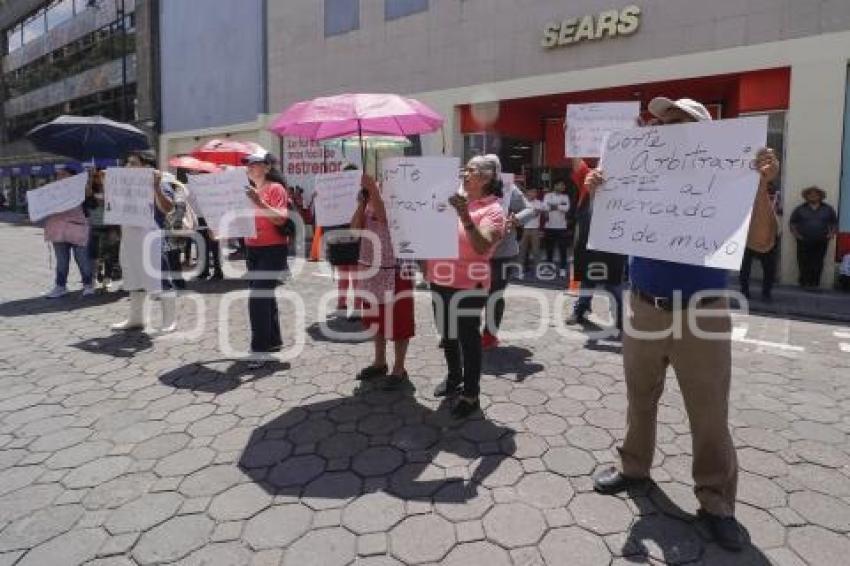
(266, 254)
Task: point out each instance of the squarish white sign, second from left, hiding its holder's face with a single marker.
(128, 194)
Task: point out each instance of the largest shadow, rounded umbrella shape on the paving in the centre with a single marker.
(375, 441)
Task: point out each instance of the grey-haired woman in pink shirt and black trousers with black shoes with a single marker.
(460, 286)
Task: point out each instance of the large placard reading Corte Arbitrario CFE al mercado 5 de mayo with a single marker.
(680, 193)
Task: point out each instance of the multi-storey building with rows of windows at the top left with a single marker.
(81, 57)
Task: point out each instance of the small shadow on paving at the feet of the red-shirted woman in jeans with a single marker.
(202, 377)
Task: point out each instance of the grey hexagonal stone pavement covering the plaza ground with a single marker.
(120, 449)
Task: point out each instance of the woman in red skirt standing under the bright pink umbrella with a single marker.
(386, 294)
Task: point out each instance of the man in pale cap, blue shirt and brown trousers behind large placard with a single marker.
(701, 356)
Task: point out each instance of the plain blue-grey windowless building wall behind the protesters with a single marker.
(213, 74)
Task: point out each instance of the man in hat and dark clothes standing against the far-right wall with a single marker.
(813, 224)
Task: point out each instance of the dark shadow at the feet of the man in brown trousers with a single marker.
(664, 532)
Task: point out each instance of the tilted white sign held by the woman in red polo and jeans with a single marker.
(223, 203)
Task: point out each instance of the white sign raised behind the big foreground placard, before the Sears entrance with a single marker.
(588, 124)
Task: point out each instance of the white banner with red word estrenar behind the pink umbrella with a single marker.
(303, 159)
